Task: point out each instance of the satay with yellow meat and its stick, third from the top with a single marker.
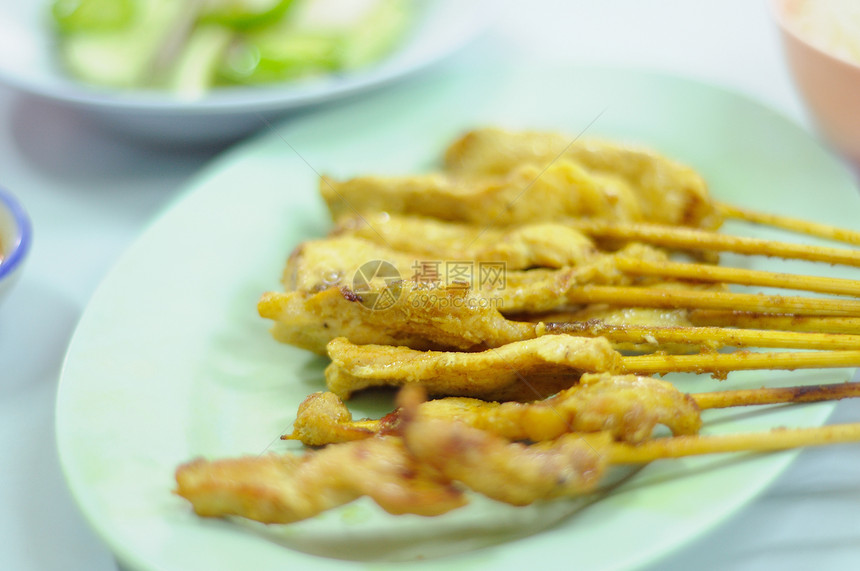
(549, 245)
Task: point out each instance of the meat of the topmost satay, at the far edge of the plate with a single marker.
(666, 192)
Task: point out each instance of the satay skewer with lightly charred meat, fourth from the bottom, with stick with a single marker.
(312, 320)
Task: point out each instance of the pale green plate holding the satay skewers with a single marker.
(171, 361)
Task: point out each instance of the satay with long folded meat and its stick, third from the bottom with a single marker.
(535, 368)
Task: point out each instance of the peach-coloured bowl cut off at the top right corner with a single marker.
(826, 74)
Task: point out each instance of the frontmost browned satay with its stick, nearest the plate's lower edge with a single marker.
(424, 470)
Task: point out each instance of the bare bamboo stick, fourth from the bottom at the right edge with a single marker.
(707, 336)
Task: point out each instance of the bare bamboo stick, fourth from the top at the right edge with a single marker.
(677, 298)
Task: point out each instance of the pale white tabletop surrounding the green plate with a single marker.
(90, 193)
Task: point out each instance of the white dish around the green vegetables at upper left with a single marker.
(27, 62)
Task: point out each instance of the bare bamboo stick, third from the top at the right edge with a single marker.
(740, 276)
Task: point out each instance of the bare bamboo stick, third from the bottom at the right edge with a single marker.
(717, 363)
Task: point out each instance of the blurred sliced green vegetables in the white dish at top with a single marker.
(189, 46)
